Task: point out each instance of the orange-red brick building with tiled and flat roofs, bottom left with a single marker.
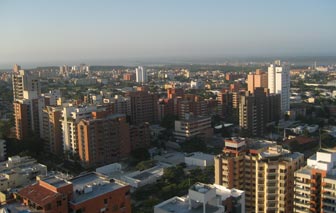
(91, 192)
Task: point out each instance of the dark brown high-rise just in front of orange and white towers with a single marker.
(256, 110)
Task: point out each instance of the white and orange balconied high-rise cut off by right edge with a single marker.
(315, 184)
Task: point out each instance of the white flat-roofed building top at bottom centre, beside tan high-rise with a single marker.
(205, 198)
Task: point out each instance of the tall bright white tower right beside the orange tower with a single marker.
(279, 83)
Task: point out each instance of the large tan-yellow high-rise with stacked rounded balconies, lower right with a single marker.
(264, 170)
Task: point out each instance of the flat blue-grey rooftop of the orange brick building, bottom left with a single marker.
(91, 185)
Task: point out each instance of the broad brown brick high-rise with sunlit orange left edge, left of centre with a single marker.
(103, 139)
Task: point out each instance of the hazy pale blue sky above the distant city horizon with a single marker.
(34, 32)
